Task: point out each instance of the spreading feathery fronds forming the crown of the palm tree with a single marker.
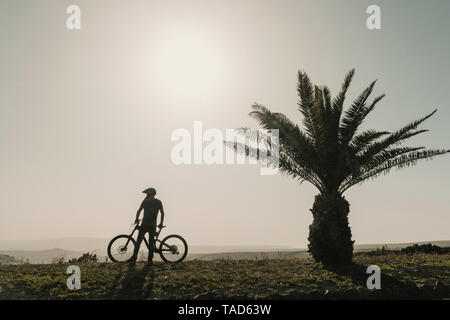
(329, 152)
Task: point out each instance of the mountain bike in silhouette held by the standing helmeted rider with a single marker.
(172, 249)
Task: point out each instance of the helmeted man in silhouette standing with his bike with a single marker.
(151, 207)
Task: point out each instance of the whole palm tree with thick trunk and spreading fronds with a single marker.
(333, 155)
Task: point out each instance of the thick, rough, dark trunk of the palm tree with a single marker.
(330, 238)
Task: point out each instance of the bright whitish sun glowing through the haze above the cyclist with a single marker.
(188, 65)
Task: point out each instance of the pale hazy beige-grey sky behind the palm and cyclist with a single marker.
(86, 115)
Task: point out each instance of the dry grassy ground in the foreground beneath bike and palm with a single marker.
(403, 276)
